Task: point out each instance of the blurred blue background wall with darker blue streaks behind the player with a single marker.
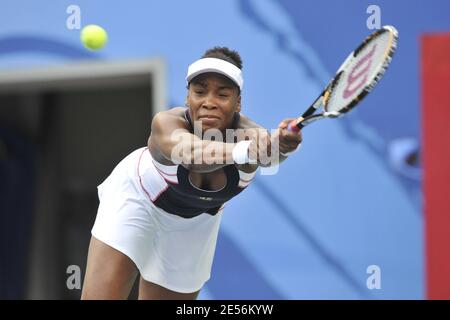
(341, 204)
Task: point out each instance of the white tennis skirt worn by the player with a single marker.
(171, 251)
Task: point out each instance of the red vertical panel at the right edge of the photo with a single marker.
(436, 137)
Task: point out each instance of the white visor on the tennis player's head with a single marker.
(216, 65)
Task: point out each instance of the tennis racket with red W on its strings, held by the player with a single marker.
(357, 76)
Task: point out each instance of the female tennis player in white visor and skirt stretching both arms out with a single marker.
(160, 208)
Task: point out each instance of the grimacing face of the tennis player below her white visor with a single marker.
(213, 99)
